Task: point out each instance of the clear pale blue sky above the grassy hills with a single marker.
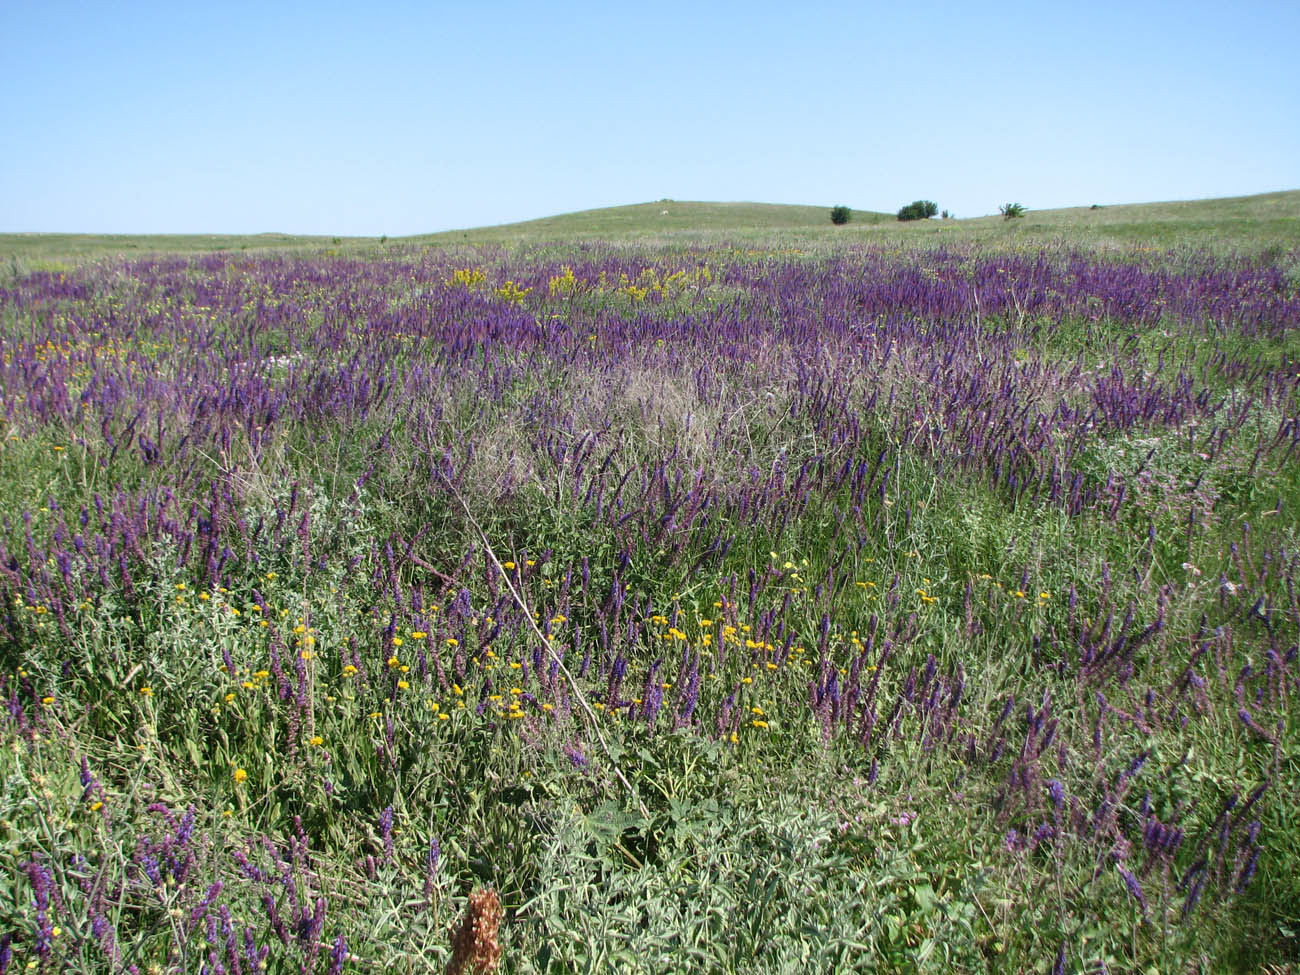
(401, 119)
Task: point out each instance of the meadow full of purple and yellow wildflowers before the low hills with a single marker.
(753, 601)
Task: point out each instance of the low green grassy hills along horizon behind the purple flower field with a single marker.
(1229, 224)
